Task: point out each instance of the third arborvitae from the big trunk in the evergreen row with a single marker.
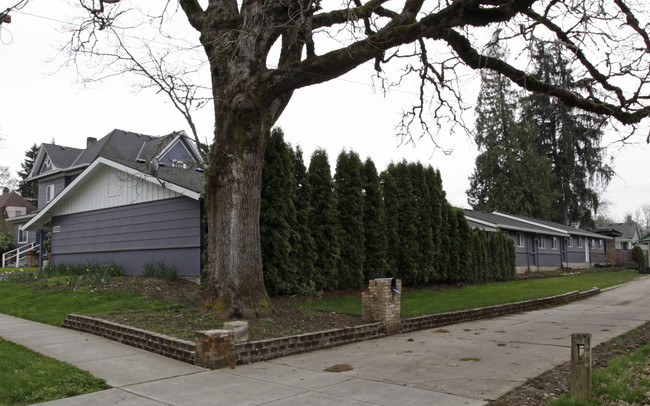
(323, 221)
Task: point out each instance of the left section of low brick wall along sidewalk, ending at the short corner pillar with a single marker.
(160, 344)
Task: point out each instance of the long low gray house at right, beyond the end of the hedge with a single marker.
(543, 245)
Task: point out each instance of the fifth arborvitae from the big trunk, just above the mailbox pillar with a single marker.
(374, 220)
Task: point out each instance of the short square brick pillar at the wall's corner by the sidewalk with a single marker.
(215, 349)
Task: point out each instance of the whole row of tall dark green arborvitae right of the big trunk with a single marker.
(324, 232)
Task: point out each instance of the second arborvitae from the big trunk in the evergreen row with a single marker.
(302, 243)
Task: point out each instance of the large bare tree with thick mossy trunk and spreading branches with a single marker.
(430, 39)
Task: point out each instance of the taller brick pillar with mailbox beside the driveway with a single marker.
(380, 302)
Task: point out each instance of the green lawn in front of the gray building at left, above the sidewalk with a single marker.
(52, 306)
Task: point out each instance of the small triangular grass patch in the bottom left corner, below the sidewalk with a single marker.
(27, 377)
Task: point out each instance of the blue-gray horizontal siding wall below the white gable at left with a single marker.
(165, 230)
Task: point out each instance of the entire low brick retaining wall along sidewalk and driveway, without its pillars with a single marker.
(279, 347)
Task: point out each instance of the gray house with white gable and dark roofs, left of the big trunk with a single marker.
(128, 198)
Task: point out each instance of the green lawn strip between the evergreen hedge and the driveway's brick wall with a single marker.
(421, 302)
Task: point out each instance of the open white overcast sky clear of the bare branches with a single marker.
(41, 102)
